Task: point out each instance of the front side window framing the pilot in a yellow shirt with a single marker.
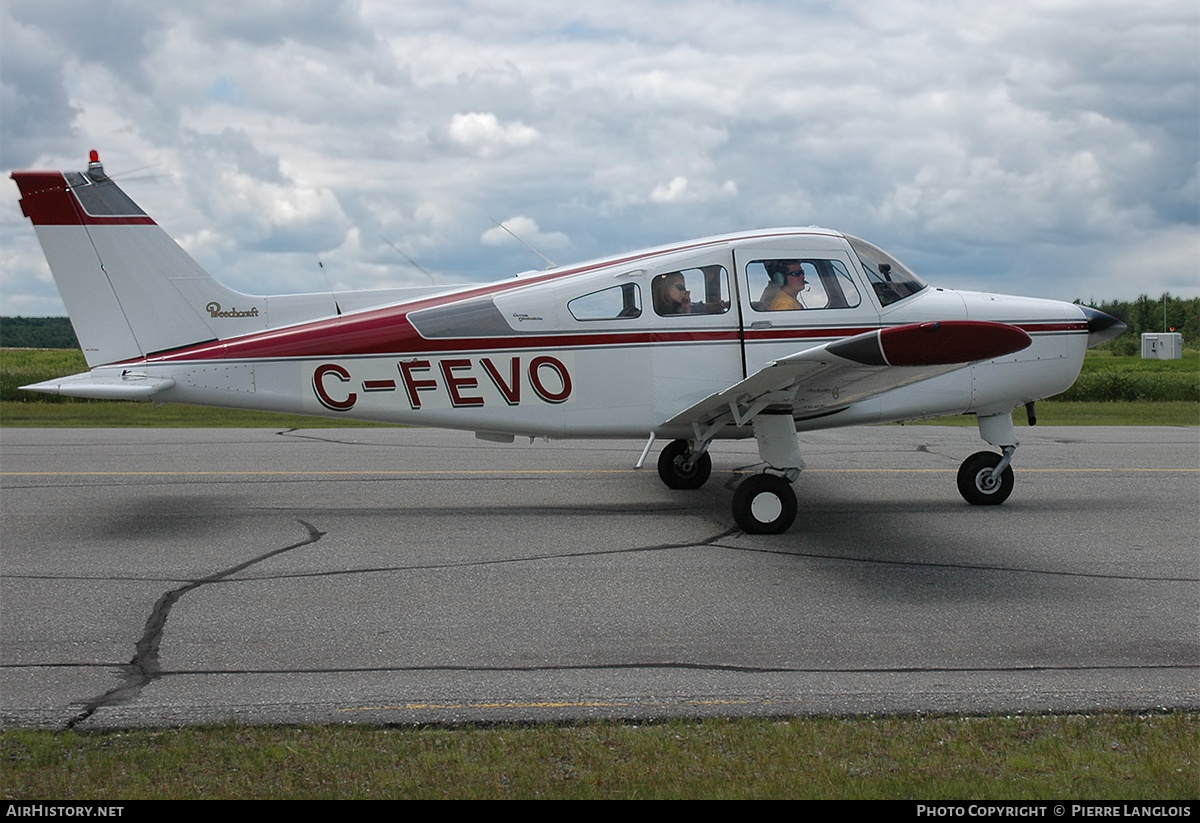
(802, 284)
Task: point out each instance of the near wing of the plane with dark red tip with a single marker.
(829, 379)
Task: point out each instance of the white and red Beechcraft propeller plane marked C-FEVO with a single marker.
(760, 334)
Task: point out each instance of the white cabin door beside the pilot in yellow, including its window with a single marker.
(794, 299)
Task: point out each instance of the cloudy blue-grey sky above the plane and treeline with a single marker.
(1046, 148)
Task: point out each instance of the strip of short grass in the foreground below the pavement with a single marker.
(1108, 756)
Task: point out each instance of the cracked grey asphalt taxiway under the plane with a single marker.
(176, 576)
